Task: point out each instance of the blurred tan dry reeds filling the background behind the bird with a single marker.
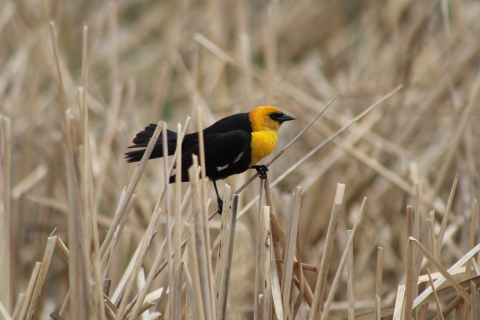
(158, 60)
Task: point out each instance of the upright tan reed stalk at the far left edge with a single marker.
(6, 254)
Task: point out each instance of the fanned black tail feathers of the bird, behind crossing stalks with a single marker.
(141, 141)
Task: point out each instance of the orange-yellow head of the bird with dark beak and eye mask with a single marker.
(266, 118)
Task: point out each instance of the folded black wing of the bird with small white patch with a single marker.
(225, 154)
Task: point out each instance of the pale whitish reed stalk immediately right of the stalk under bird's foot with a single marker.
(266, 262)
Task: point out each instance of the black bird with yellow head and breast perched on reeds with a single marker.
(232, 145)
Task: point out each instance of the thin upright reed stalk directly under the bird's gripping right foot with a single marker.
(259, 279)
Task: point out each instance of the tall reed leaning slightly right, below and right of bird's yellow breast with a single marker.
(290, 252)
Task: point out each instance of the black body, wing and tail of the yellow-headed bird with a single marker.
(227, 147)
